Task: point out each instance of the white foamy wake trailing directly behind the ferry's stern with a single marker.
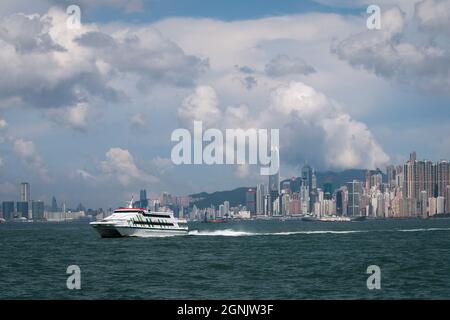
(234, 233)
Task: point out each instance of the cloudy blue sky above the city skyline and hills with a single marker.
(86, 114)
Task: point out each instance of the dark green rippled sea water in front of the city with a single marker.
(235, 260)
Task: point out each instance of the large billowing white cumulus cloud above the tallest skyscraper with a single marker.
(312, 127)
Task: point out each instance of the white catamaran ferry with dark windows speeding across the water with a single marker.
(139, 222)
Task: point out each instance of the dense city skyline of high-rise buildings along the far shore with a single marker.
(417, 188)
